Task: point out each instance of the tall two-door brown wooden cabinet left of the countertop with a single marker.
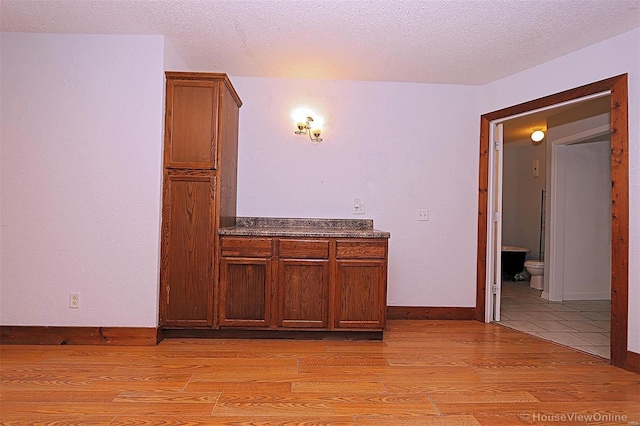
(199, 193)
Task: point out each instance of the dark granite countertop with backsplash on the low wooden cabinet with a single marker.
(289, 227)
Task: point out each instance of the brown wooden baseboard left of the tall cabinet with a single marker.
(42, 335)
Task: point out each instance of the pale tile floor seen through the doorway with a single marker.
(580, 324)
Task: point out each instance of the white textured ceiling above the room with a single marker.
(431, 41)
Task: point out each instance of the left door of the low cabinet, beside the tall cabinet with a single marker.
(245, 292)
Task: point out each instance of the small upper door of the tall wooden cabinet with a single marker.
(191, 124)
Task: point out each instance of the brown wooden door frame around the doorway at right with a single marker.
(619, 200)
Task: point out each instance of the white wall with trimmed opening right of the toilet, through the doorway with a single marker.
(579, 238)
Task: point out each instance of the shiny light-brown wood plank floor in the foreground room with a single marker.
(423, 373)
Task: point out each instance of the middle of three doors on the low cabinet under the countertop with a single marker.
(303, 293)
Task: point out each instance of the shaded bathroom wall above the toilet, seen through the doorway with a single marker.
(522, 195)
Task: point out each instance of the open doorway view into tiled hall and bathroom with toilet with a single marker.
(577, 179)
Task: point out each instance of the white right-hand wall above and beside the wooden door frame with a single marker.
(612, 57)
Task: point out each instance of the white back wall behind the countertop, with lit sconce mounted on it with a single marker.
(399, 147)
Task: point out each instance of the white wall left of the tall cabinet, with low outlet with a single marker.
(81, 156)
